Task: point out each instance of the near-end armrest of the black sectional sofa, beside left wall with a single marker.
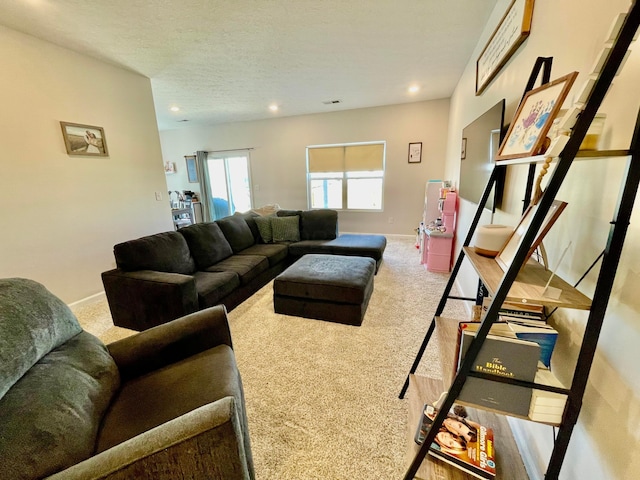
(145, 298)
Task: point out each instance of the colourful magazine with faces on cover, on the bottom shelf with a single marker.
(460, 441)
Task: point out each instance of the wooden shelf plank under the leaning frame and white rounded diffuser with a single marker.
(529, 283)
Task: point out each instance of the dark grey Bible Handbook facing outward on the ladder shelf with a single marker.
(505, 357)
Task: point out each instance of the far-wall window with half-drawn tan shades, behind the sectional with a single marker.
(348, 176)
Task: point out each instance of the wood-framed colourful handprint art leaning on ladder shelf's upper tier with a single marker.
(533, 119)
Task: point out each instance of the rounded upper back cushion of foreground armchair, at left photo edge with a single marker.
(33, 322)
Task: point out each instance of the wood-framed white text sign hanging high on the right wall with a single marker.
(513, 29)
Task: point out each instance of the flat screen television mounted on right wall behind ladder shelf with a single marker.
(480, 142)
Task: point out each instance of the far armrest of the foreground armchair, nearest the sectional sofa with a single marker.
(171, 342)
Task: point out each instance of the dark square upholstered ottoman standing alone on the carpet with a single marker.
(326, 287)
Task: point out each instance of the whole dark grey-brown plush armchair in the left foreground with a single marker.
(166, 403)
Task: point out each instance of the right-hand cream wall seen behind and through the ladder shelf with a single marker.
(572, 32)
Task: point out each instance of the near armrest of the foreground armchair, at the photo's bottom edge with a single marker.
(202, 444)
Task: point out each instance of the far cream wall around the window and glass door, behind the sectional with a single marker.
(278, 164)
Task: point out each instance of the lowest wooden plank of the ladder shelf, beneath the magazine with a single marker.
(508, 461)
